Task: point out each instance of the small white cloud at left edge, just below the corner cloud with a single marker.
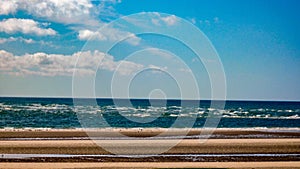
(25, 26)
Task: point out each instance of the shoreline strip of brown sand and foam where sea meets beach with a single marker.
(156, 133)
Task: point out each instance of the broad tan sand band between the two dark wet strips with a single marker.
(186, 146)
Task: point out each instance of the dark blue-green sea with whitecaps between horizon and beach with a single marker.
(61, 113)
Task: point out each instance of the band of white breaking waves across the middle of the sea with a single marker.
(171, 111)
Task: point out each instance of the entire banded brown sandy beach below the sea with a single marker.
(72, 148)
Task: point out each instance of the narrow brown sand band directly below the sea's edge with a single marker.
(148, 132)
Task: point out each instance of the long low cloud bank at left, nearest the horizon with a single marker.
(63, 65)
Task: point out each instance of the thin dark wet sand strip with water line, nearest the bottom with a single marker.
(153, 158)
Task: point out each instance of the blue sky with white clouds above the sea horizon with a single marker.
(83, 48)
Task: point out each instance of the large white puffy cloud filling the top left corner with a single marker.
(62, 11)
